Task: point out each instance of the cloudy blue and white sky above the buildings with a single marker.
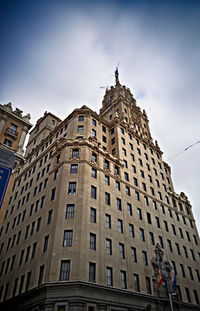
(55, 55)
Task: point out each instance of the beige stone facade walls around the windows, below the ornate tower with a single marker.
(80, 253)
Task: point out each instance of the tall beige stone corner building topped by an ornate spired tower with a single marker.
(88, 209)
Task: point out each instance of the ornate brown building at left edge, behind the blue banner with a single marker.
(13, 130)
